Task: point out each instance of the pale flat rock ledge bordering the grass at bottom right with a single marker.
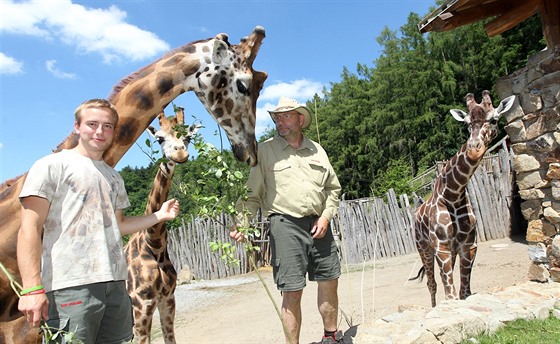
(453, 321)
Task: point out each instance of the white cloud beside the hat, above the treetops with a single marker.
(301, 90)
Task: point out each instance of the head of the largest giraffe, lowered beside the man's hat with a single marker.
(228, 87)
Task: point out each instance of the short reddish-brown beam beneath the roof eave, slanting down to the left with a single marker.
(520, 11)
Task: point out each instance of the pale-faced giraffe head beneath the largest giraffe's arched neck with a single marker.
(173, 143)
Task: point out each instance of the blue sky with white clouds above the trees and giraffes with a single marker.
(54, 54)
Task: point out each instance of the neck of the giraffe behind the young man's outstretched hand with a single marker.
(156, 236)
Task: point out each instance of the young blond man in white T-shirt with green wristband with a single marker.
(69, 248)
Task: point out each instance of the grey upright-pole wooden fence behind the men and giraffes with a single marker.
(367, 229)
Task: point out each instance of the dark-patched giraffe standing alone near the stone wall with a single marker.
(445, 224)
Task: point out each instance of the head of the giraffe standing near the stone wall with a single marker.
(482, 120)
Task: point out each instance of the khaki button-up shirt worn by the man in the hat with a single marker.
(293, 182)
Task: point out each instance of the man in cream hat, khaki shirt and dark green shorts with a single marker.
(295, 186)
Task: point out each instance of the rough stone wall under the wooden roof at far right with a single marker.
(533, 126)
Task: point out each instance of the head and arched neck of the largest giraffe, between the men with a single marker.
(220, 74)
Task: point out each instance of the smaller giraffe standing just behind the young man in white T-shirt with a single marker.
(151, 275)
